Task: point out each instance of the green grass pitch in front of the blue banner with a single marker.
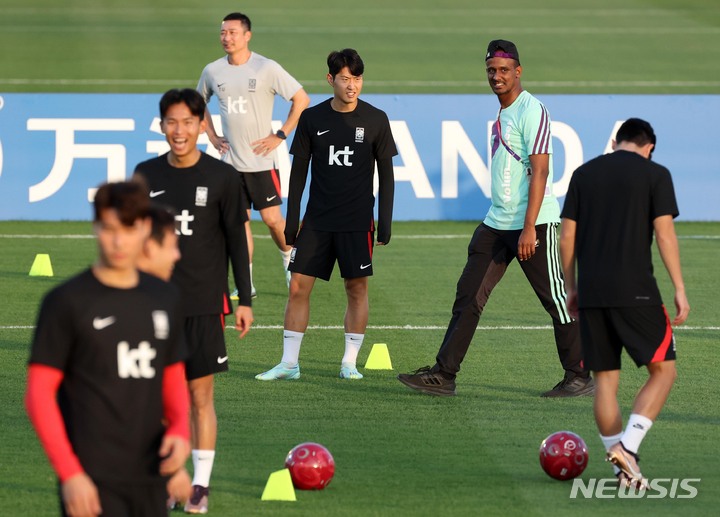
(397, 452)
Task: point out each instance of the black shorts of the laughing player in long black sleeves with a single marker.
(205, 337)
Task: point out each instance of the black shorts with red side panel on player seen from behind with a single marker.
(643, 331)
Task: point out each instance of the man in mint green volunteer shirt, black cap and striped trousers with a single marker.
(522, 222)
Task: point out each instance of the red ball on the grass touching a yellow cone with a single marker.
(311, 466)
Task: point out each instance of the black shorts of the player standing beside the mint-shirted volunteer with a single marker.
(315, 253)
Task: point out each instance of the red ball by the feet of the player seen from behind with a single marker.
(563, 455)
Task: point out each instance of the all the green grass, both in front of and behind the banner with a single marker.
(397, 452)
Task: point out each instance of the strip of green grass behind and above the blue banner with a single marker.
(409, 46)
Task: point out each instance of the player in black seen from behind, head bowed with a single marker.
(613, 206)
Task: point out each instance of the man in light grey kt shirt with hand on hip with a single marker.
(245, 84)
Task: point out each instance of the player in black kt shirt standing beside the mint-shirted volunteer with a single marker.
(344, 137)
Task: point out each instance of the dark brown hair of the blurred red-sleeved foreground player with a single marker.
(130, 199)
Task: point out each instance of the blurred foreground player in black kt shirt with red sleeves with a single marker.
(106, 368)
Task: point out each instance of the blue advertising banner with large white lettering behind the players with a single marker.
(56, 148)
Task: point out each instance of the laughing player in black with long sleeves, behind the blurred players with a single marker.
(211, 214)
